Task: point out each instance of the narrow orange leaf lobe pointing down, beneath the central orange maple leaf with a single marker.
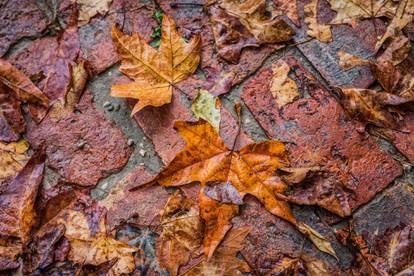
(217, 221)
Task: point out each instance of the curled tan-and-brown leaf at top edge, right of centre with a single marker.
(252, 14)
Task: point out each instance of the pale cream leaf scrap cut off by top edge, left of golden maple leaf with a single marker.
(90, 8)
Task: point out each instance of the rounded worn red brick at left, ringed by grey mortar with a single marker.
(82, 147)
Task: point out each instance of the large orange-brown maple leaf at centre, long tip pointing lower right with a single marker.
(250, 170)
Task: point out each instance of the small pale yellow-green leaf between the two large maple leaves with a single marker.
(206, 106)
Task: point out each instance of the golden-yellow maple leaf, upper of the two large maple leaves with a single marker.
(154, 72)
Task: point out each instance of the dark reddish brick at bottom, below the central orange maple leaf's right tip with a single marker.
(271, 238)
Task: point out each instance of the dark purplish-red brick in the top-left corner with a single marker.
(20, 19)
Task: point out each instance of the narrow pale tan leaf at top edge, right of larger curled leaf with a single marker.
(319, 31)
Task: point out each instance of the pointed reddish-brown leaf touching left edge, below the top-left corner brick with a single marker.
(21, 85)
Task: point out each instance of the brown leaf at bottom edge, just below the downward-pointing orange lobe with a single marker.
(224, 261)
